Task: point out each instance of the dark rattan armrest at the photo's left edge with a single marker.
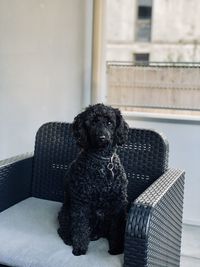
(15, 180)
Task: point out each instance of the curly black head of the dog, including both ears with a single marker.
(100, 126)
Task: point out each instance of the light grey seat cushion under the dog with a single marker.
(28, 237)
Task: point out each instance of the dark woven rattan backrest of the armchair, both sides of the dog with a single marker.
(144, 156)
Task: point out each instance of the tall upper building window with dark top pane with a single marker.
(143, 22)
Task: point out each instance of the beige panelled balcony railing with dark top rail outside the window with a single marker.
(174, 86)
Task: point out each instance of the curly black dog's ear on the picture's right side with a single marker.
(121, 131)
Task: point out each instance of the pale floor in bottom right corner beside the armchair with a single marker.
(190, 251)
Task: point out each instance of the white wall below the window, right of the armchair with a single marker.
(184, 145)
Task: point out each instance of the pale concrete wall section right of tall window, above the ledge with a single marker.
(176, 21)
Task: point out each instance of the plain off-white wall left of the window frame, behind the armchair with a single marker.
(42, 66)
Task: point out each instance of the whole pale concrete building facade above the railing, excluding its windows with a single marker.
(175, 33)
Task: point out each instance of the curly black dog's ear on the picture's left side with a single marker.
(79, 130)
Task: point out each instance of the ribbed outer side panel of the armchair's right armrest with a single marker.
(164, 237)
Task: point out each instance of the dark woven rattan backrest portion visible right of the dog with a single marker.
(145, 158)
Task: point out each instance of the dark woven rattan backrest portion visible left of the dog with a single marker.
(55, 149)
